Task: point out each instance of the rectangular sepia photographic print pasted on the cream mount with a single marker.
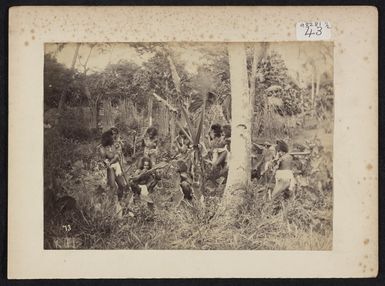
(139, 152)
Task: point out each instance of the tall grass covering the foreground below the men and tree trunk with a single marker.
(302, 222)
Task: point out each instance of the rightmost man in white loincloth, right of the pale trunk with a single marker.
(284, 177)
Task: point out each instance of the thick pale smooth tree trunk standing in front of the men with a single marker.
(240, 163)
